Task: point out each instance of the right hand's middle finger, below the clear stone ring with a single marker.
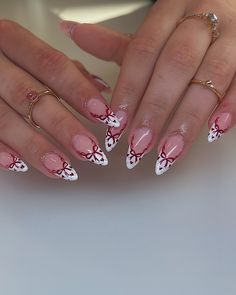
(174, 69)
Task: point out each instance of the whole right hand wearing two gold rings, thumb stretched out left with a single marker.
(154, 96)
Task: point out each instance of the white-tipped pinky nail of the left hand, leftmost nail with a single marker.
(12, 162)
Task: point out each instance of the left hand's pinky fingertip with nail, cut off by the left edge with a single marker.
(10, 160)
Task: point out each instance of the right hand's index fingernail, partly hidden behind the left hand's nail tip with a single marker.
(114, 134)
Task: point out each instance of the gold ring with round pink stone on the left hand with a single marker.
(35, 97)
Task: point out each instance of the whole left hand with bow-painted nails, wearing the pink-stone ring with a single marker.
(27, 64)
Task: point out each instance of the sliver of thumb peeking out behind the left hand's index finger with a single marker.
(98, 82)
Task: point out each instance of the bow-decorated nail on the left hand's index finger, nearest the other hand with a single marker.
(102, 112)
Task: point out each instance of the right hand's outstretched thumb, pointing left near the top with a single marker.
(99, 41)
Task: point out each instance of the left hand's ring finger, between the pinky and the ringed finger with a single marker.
(32, 146)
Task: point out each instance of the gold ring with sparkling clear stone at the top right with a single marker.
(211, 20)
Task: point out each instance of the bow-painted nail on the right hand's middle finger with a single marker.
(139, 145)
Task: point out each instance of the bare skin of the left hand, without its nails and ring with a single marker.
(29, 68)
